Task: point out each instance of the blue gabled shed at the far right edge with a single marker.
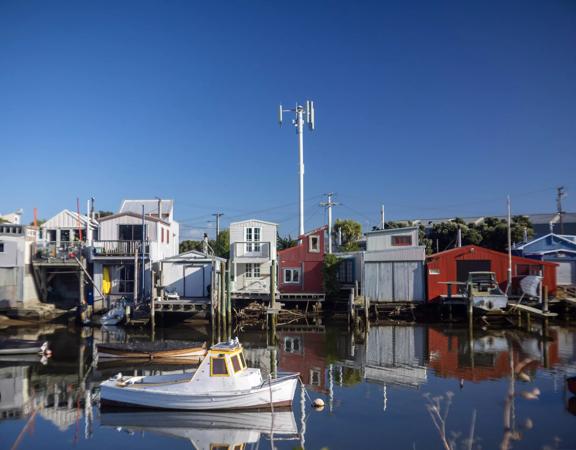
(557, 248)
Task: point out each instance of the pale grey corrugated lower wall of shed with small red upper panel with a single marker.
(394, 281)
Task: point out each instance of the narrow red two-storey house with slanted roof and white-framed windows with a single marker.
(300, 268)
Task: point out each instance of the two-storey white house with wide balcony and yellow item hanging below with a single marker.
(142, 233)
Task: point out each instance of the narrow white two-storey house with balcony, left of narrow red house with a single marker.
(252, 250)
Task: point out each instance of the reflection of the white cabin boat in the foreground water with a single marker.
(208, 430)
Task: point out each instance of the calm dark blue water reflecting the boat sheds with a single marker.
(401, 387)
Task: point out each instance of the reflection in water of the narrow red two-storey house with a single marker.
(304, 352)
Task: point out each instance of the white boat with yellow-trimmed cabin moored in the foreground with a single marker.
(221, 382)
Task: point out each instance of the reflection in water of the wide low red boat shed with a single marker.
(453, 354)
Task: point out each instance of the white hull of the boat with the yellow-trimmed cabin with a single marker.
(180, 396)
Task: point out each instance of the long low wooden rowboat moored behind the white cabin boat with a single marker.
(153, 350)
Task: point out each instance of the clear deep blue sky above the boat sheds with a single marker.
(434, 108)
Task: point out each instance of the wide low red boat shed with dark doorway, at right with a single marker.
(455, 264)
